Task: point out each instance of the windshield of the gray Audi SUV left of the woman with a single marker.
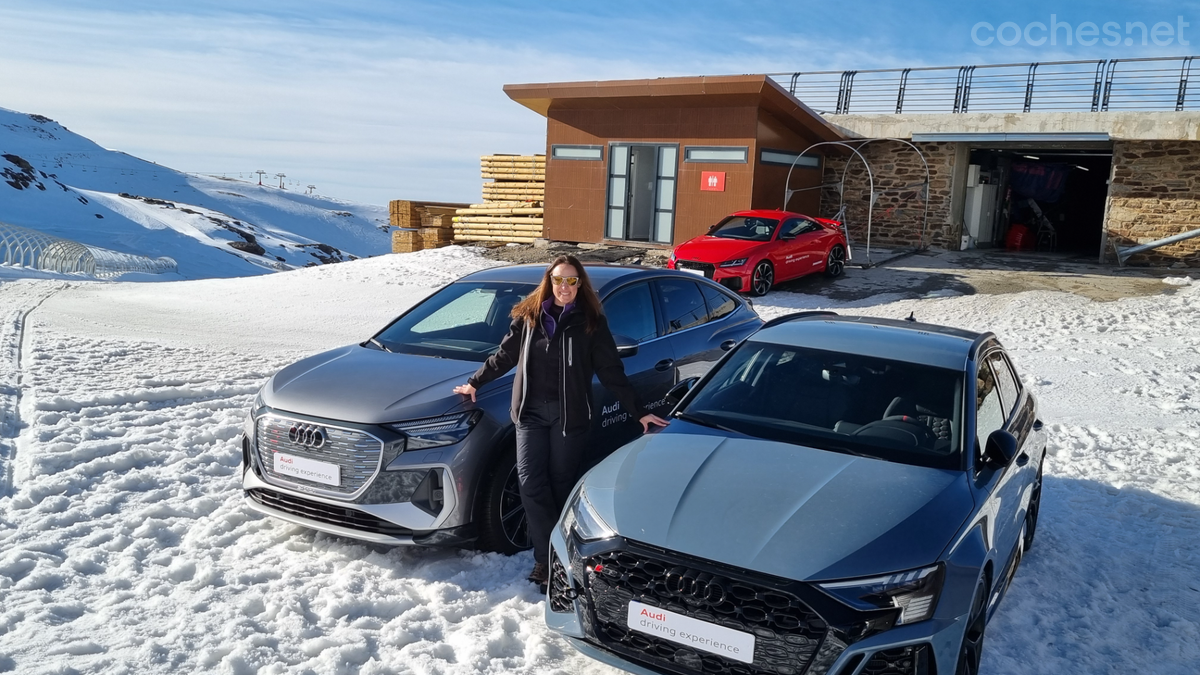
(463, 321)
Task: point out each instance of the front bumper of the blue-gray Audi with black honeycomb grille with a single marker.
(922, 649)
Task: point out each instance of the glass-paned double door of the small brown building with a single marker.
(641, 193)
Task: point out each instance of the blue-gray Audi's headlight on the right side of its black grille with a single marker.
(914, 593)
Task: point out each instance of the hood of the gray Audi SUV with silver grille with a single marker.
(368, 386)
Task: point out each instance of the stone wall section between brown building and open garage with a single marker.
(899, 181)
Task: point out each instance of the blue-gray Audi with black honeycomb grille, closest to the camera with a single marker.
(839, 495)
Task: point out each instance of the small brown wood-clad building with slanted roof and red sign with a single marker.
(662, 160)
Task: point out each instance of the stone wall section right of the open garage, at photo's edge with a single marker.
(1155, 194)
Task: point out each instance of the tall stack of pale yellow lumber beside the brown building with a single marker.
(513, 202)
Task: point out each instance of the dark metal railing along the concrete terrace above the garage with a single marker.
(1096, 86)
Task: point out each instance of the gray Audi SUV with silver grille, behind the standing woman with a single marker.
(369, 441)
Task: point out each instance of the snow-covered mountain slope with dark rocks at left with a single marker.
(63, 184)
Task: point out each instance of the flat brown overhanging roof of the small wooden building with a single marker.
(721, 92)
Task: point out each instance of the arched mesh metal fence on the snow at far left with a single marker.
(37, 250)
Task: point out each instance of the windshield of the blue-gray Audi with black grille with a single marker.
(844, 403)
